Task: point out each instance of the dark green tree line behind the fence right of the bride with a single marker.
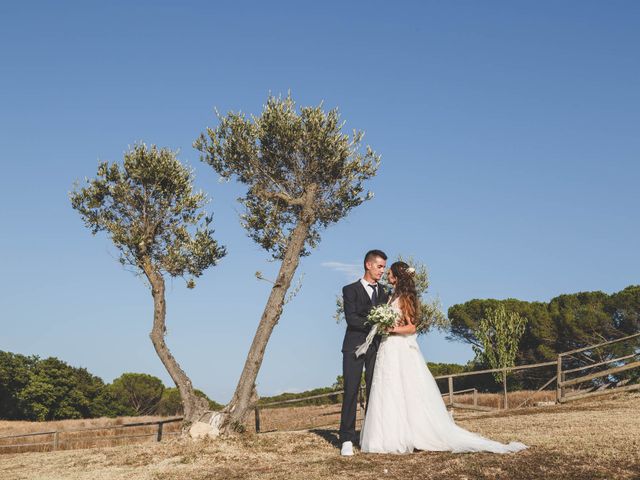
(566, 322)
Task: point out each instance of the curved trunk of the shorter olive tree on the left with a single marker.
(193, 405)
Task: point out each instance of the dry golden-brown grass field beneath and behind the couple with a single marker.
(587, 440)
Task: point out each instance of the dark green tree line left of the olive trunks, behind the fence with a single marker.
(49, 389)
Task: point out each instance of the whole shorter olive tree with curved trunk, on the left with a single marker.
(156, 220)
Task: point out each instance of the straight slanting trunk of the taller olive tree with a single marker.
(244, 396)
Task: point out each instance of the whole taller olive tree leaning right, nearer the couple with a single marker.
(302, 173)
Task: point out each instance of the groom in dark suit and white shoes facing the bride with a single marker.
(359, 298)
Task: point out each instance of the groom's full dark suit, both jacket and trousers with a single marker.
(357, 305)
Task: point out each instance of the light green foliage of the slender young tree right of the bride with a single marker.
(499, 333)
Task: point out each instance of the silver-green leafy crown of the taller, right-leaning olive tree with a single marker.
(281, 156)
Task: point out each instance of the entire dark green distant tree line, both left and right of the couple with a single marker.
(49, 389)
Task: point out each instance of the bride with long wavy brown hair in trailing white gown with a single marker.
(406, 411)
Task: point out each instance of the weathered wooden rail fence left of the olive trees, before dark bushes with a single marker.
(57, 437)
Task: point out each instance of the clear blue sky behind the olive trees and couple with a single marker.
(508, 133)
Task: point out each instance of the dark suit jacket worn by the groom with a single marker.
(357, 305)
